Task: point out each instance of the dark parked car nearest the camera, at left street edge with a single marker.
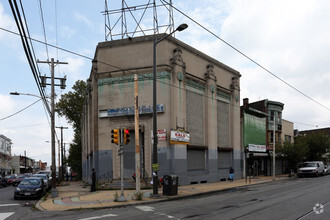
(30, 187)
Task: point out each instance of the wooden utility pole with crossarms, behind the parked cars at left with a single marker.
(52, 114)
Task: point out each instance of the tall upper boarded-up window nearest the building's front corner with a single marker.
(195, 116)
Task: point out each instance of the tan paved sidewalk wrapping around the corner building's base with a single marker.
(75, 195)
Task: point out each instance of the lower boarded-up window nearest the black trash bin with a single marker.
(196, 159)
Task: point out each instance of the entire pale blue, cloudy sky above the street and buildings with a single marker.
(290, 39)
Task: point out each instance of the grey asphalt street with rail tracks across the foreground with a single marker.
(289, 199)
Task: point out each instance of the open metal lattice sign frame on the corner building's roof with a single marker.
(134, 16)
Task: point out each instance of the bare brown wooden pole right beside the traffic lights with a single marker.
(137, 132)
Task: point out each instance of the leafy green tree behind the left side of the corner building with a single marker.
(70, 106)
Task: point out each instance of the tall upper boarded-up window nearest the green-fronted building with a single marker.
(223, 124)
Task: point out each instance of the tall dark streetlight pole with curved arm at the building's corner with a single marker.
(154, 115)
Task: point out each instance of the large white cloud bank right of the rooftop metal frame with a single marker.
(290, 39)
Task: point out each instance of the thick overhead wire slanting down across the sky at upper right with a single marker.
(246, 56)
